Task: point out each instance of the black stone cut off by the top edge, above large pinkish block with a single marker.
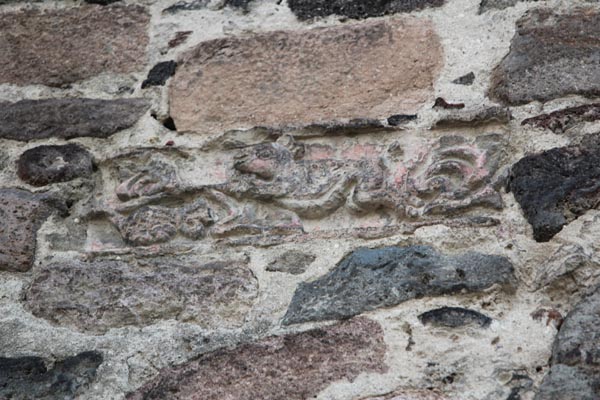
(358, 9)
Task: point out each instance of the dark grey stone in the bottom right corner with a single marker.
(575, 371)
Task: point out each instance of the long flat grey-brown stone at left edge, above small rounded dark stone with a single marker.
(68, 118)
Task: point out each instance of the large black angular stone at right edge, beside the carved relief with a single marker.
(556, 186)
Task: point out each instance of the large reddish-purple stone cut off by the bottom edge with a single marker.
(292, 367)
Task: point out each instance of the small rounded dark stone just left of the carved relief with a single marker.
(44, 165)
